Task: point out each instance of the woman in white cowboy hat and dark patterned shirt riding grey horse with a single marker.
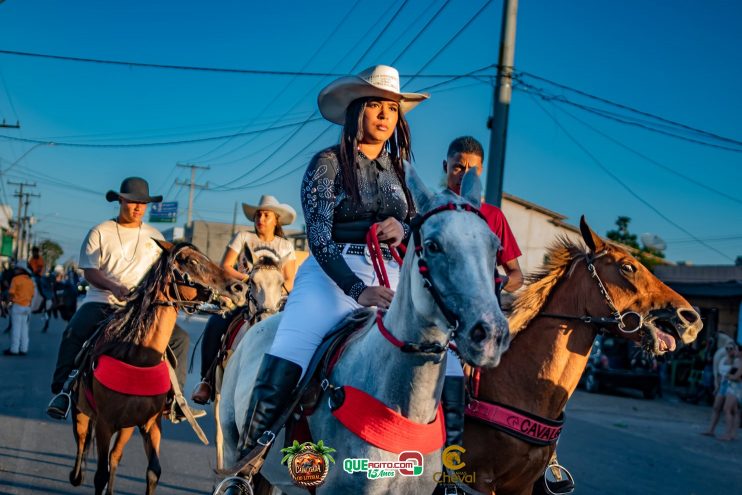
(346, 189)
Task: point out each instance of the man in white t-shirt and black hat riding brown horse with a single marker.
(115, 256)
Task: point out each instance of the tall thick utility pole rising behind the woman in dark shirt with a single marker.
(503, 92)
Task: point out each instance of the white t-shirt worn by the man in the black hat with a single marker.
(123, 254)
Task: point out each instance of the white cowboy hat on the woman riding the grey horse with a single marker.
(380, 80)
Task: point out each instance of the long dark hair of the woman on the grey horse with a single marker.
(399, 147)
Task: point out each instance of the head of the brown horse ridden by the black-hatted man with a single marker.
(197, 278)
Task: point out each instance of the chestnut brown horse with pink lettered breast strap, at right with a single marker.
(553, 328)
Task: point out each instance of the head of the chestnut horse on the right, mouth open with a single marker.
(657, 314)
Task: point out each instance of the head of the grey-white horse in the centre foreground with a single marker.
(459, 250)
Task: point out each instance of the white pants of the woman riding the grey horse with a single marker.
(317, 304)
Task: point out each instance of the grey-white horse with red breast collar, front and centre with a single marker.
(459, 250)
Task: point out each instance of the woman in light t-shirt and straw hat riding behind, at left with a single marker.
(269, 216)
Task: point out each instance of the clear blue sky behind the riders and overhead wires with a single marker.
(676, 59)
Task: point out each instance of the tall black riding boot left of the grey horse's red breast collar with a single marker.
(276, 381)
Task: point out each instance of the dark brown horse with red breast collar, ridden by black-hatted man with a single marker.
(138, 335)
